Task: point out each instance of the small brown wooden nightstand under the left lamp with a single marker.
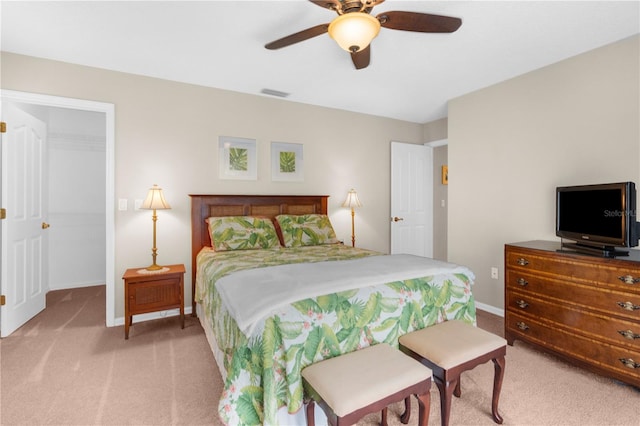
(146, 291)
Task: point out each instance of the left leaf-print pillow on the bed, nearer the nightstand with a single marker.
(242, 233)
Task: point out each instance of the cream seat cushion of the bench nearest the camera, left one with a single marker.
(358, 379)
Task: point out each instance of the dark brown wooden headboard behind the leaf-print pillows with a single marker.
(205, 206)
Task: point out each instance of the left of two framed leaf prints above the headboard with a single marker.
(237, 158)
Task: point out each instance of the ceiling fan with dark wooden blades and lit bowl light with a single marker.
(354, 28)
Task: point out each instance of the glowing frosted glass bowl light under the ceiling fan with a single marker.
(354, 31)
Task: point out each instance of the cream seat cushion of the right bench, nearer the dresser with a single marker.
(451, 343)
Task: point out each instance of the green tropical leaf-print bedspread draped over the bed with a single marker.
(263, 369)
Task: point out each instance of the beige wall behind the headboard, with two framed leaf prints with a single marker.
(167, 133)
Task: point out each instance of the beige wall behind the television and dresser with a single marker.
(510, 145)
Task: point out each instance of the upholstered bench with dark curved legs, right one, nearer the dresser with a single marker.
(448, 349)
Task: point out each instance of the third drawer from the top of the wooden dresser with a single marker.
(601, 327)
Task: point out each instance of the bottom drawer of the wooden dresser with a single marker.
(620, 362)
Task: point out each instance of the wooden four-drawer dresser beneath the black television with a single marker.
(585, 309)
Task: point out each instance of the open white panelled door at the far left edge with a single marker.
(24, 234)
